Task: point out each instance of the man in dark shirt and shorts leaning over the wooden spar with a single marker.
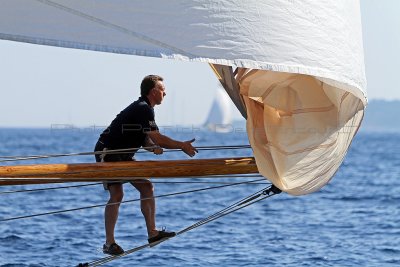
(135, 127)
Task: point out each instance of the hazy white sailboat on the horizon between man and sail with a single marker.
(220, 116)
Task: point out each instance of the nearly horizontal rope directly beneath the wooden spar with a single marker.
(154, 182)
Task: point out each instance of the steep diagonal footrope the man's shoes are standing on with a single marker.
(245, 202)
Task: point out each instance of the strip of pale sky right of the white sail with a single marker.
(381, 35)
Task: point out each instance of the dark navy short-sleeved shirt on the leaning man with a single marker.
(128, 129)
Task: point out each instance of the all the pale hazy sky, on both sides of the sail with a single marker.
(40, 86)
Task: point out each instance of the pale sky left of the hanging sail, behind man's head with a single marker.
(48, 85)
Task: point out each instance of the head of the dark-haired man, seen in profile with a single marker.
(153, 88)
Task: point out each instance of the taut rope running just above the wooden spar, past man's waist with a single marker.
(114, 151)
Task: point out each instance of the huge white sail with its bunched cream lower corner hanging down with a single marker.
(301, 69)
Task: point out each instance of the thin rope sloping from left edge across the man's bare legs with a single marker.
(126, 201)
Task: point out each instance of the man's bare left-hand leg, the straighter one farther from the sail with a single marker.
(111, 211)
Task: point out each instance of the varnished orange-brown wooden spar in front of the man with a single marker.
(107, 171)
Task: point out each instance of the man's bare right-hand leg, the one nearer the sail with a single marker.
(148, 206)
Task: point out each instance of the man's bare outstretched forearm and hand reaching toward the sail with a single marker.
(167, 142)
